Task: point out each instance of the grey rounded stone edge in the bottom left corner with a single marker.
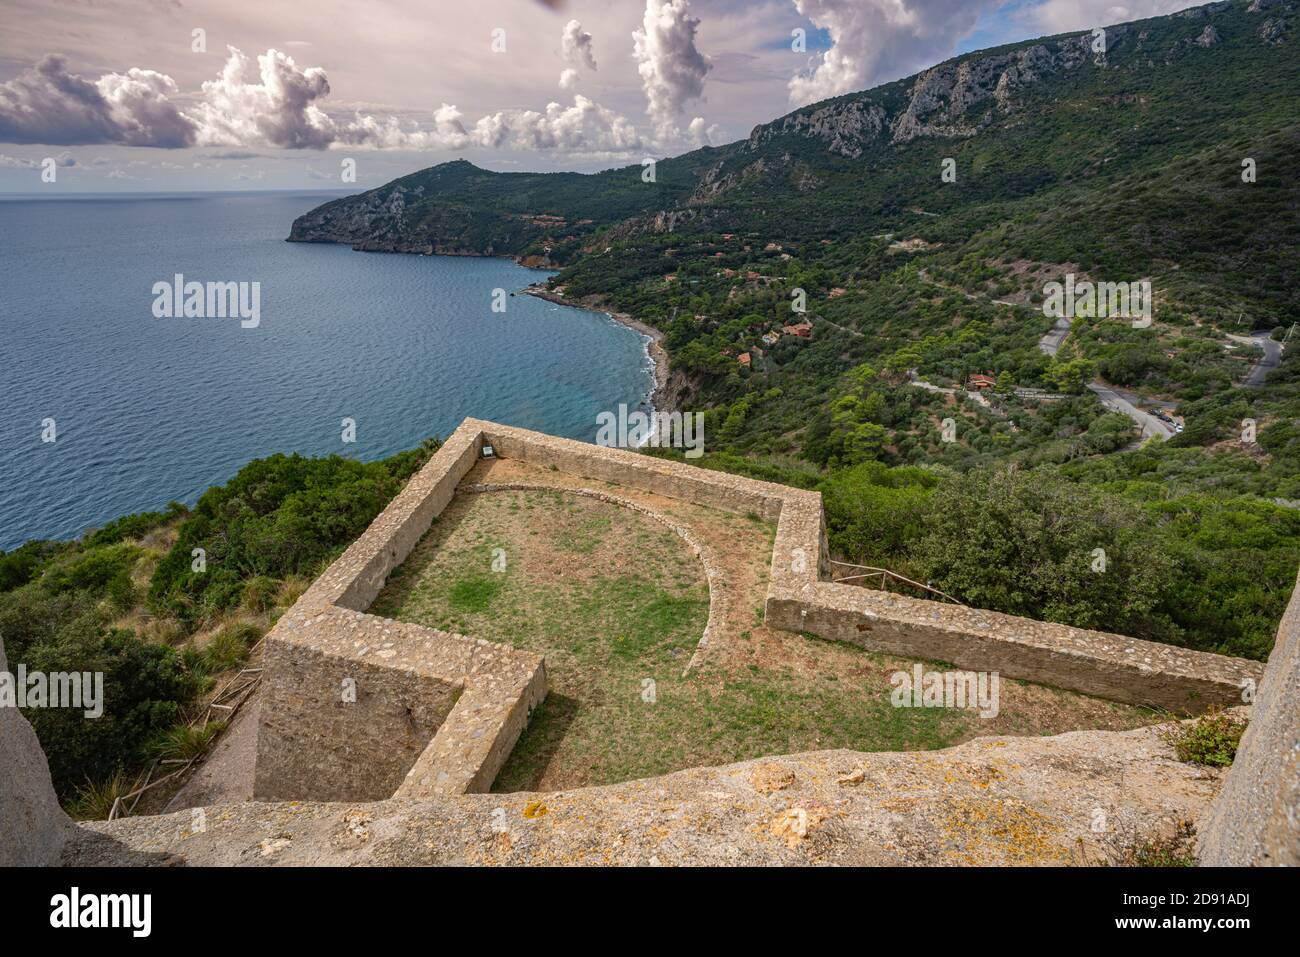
(33, 826)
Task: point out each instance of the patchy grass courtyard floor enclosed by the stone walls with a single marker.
(618, 604)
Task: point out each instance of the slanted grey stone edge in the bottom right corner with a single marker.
(1256, 817)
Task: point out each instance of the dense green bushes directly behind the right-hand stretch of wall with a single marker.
(1207, 571)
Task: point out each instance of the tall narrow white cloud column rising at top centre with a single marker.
(673, 70)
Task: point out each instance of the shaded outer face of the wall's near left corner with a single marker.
(313, 744)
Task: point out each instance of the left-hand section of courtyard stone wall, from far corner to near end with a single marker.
(361, 708)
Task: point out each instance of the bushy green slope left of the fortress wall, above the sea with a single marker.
(128, 601)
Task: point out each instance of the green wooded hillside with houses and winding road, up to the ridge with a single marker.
(1116, 167)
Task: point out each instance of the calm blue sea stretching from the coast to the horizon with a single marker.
(149, 410)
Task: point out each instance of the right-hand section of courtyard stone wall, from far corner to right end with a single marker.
(801, 597)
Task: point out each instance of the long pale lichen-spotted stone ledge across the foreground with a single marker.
(1059, 800)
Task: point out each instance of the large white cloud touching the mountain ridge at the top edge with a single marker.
(877, 41)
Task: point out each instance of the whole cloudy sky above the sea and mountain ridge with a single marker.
(162, 96)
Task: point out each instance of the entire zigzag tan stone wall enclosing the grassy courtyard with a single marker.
(445, 711)
